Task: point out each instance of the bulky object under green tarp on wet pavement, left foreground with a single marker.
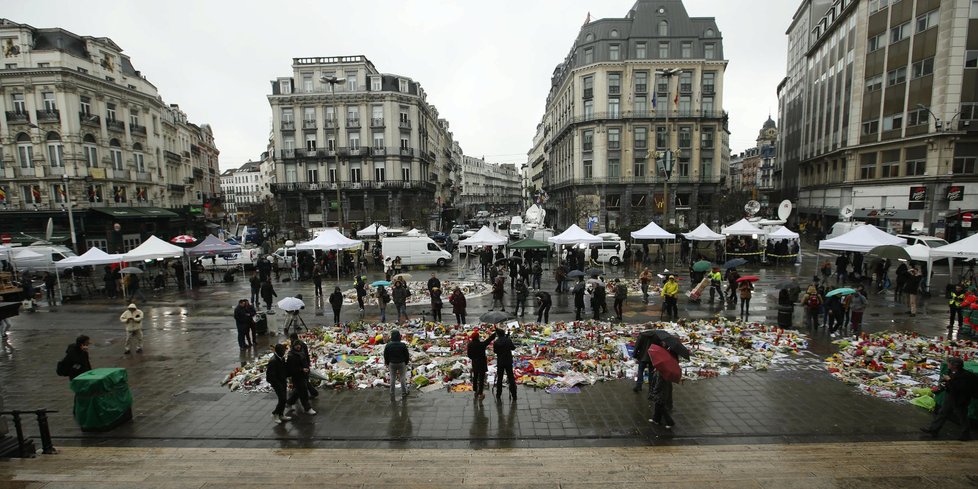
(102, 399)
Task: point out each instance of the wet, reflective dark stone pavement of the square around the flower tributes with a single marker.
(190, 346)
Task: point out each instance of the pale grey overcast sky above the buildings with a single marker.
(485, 65)
